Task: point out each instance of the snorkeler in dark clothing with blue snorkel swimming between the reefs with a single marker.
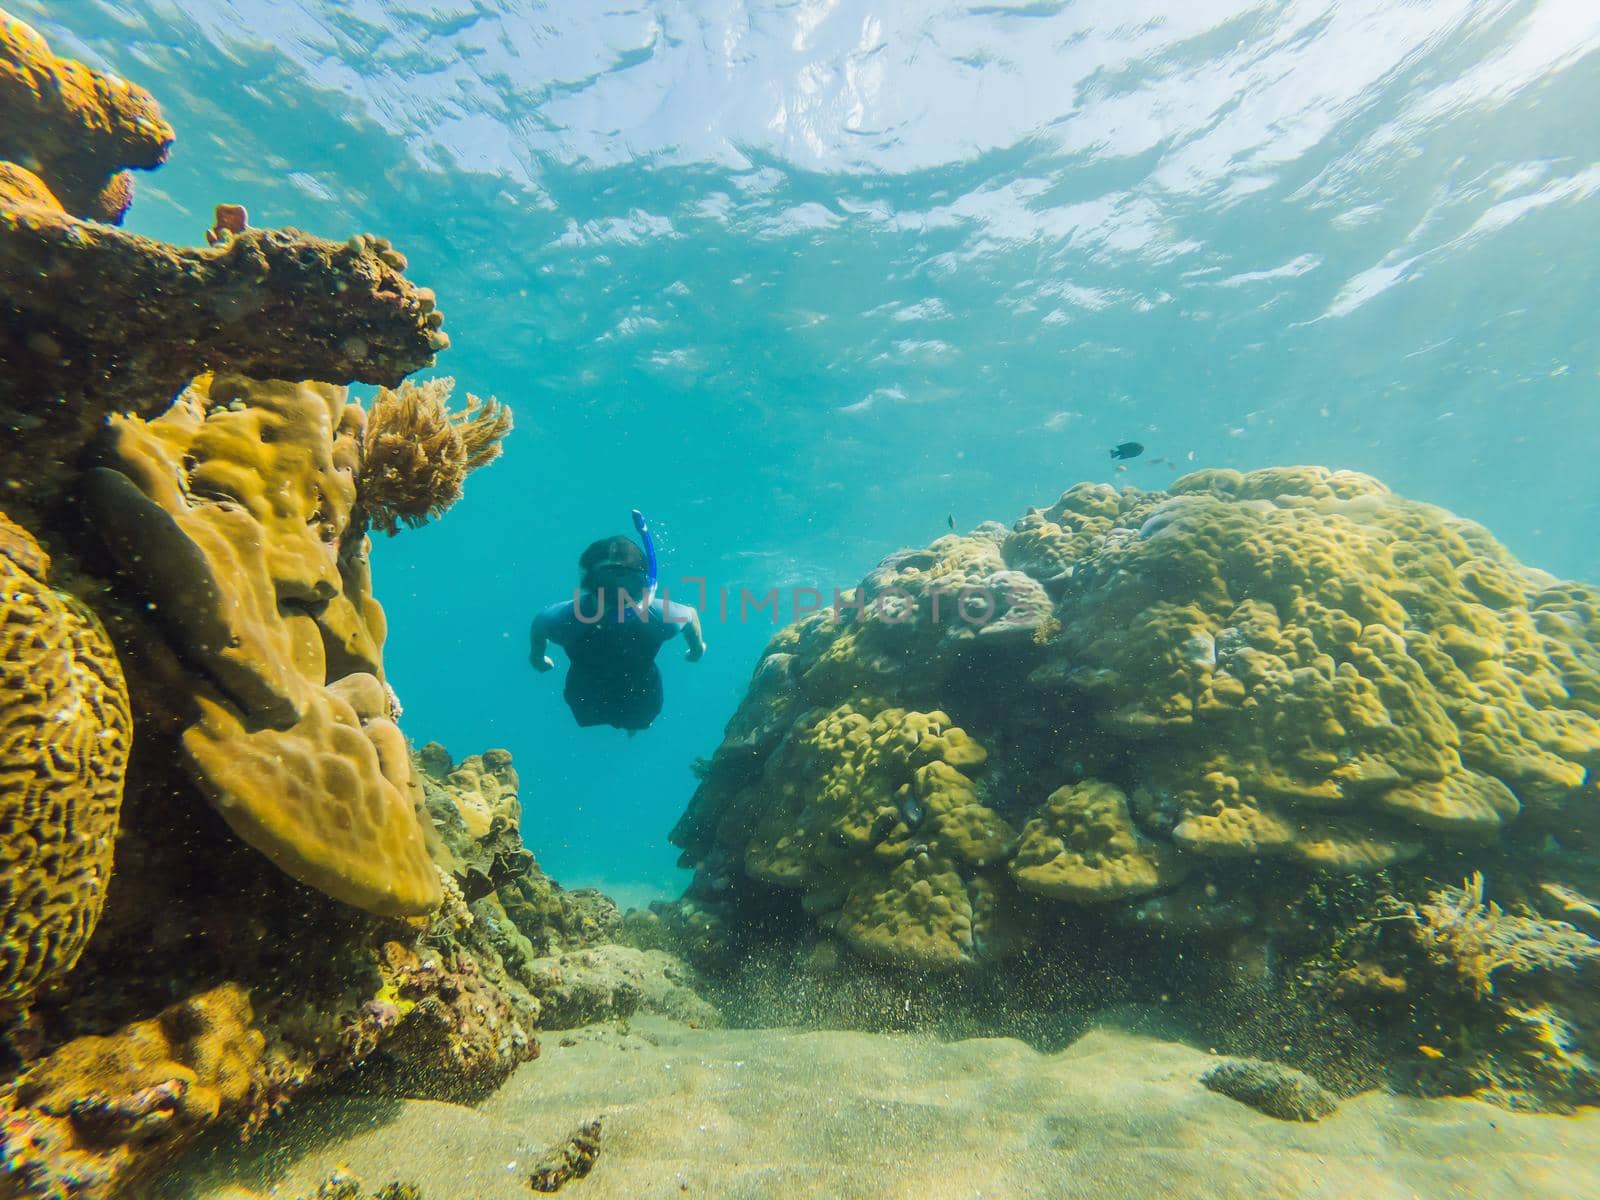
(614, 633)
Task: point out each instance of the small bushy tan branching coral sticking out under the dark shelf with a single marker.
(417, 454)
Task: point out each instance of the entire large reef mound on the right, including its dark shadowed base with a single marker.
(1222, 724)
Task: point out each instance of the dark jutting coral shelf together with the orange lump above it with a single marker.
(95, 321)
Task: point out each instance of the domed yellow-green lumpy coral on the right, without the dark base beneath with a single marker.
(1287, 666)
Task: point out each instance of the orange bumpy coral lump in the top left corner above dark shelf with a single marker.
(74, 127)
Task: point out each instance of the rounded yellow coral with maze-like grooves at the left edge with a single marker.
(65, 735)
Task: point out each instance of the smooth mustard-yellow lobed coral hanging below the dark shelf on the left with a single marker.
(233, 514)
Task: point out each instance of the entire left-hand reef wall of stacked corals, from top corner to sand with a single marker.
(226, 874)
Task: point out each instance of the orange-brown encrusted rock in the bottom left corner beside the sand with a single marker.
(102, 1114)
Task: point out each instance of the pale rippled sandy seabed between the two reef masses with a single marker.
(774, 1113)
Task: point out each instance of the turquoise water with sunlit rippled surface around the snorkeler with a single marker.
(804, 281)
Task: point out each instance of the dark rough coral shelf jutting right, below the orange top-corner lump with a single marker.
(150, 318)
